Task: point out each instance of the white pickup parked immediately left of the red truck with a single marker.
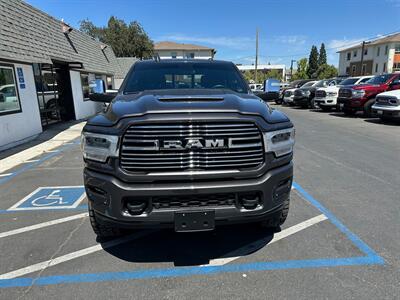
(326, 97)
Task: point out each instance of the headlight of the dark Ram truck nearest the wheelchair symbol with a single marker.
(99, 147)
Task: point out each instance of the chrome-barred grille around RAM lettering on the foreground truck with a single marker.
(142, 147)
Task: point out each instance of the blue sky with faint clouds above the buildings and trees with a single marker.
(287, 28)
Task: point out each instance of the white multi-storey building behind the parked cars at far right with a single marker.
(380, 56)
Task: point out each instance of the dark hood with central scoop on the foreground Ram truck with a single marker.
(185, 101)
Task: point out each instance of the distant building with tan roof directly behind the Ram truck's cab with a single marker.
(168, 50)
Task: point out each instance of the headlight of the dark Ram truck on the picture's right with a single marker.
(280, 142)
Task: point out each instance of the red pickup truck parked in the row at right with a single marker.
(361, 97)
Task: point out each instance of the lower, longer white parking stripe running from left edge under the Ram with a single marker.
(58, 260)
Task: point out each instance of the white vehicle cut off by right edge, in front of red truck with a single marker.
(387, 105)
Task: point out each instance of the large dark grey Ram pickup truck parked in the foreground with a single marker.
(186, 145)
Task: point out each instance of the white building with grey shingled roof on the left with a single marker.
(46, 68)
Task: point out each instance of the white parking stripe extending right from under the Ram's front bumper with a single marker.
(238, 253)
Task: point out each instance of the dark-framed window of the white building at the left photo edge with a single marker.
(9, 98)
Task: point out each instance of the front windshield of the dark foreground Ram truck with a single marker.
(184, 75)
